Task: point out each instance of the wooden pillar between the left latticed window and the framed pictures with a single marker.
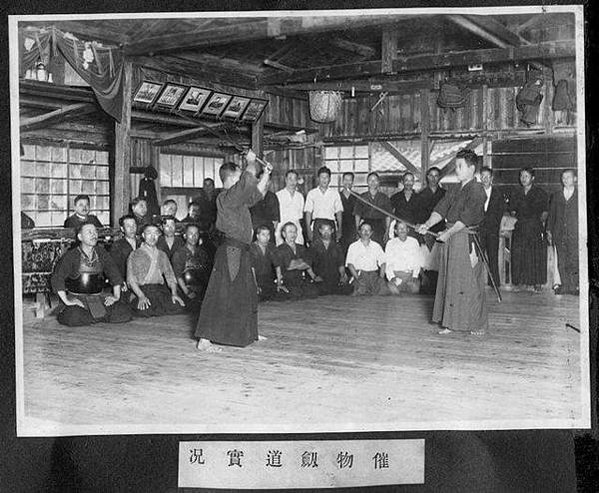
(122, 151)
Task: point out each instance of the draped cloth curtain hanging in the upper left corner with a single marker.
(98, 65)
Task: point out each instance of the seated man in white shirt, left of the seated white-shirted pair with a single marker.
(366, 263)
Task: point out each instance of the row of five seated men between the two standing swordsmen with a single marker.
(292, 271)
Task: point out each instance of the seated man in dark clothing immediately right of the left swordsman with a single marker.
(262, 253)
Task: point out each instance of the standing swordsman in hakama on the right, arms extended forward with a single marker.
(460, 302)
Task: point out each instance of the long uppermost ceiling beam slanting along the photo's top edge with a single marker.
(261, 28)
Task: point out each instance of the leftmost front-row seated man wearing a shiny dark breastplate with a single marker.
(78, 279)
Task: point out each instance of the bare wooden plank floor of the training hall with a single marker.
(334, 363)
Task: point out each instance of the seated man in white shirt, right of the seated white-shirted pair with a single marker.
(403, 261)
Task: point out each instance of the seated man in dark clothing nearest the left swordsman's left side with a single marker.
(191, 265)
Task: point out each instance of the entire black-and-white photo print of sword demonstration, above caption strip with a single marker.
(389, 234)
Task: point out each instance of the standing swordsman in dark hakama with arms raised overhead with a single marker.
(229, 313)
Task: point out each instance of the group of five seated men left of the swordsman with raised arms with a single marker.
(152, 272)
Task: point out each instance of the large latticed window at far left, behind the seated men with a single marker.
(52, 176)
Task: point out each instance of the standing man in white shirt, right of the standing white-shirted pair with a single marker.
(323, 204)
